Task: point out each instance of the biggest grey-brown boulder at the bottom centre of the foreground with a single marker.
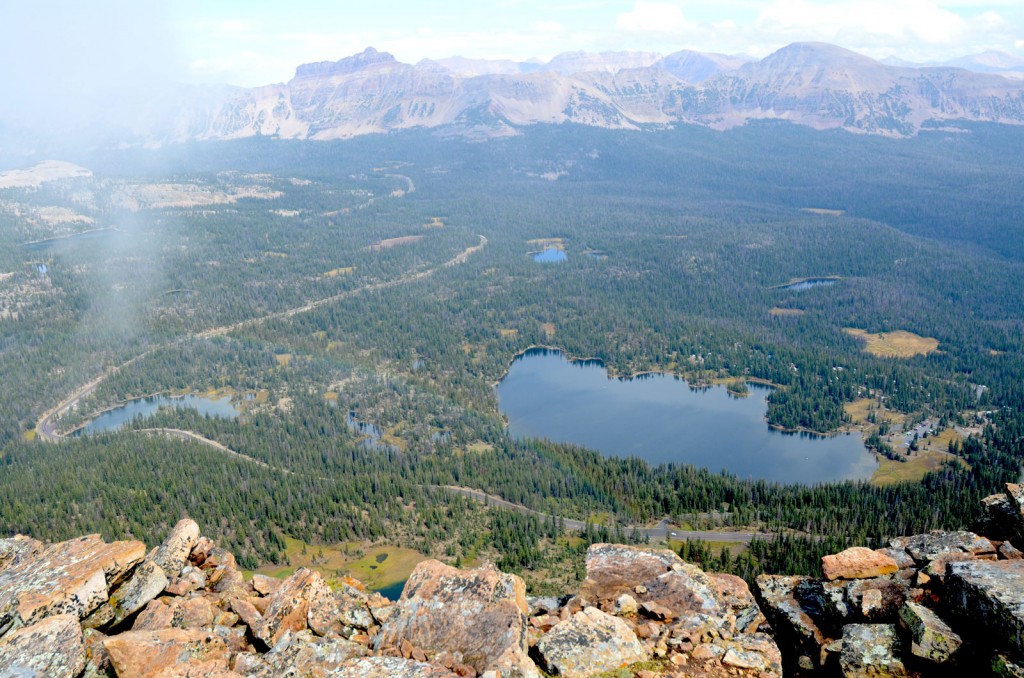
(481, 614)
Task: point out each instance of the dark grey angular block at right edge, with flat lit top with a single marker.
(991, 596)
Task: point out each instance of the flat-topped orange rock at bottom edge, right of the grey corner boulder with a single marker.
(169, 652)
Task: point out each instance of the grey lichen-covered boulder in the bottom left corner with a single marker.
(53, 648)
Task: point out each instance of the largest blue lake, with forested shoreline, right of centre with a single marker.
(661, 419)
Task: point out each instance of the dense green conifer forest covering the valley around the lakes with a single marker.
(328, 299)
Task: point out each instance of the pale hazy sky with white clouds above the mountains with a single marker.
(253, 43)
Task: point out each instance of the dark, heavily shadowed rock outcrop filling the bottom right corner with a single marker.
(942, 604)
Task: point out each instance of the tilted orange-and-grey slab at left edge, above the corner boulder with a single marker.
(71, 577)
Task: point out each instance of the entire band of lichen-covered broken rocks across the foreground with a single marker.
(944, 603)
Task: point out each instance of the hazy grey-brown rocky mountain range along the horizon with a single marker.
(816, 84)
